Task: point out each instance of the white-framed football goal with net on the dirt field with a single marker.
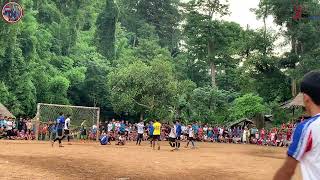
(50, 112)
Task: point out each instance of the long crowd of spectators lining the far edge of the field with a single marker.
(24, 129)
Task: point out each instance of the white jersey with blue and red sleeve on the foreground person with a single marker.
(305, 147)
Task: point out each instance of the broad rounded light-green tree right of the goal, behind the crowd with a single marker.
(143, 89)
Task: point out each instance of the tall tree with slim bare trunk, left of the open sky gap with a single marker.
(210, 42)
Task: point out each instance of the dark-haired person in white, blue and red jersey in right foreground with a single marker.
(305, 146)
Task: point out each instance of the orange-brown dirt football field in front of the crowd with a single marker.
(38, 160)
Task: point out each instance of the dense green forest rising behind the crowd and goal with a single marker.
(155, 58)
